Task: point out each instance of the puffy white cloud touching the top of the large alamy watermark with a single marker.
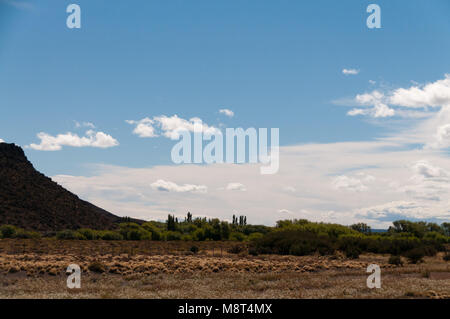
(170, 127)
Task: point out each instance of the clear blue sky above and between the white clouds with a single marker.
(273, 63)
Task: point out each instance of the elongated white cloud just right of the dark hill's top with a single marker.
(56, 143)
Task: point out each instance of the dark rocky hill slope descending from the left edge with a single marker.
(31, 200)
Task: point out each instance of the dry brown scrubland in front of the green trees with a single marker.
(36, 269)
